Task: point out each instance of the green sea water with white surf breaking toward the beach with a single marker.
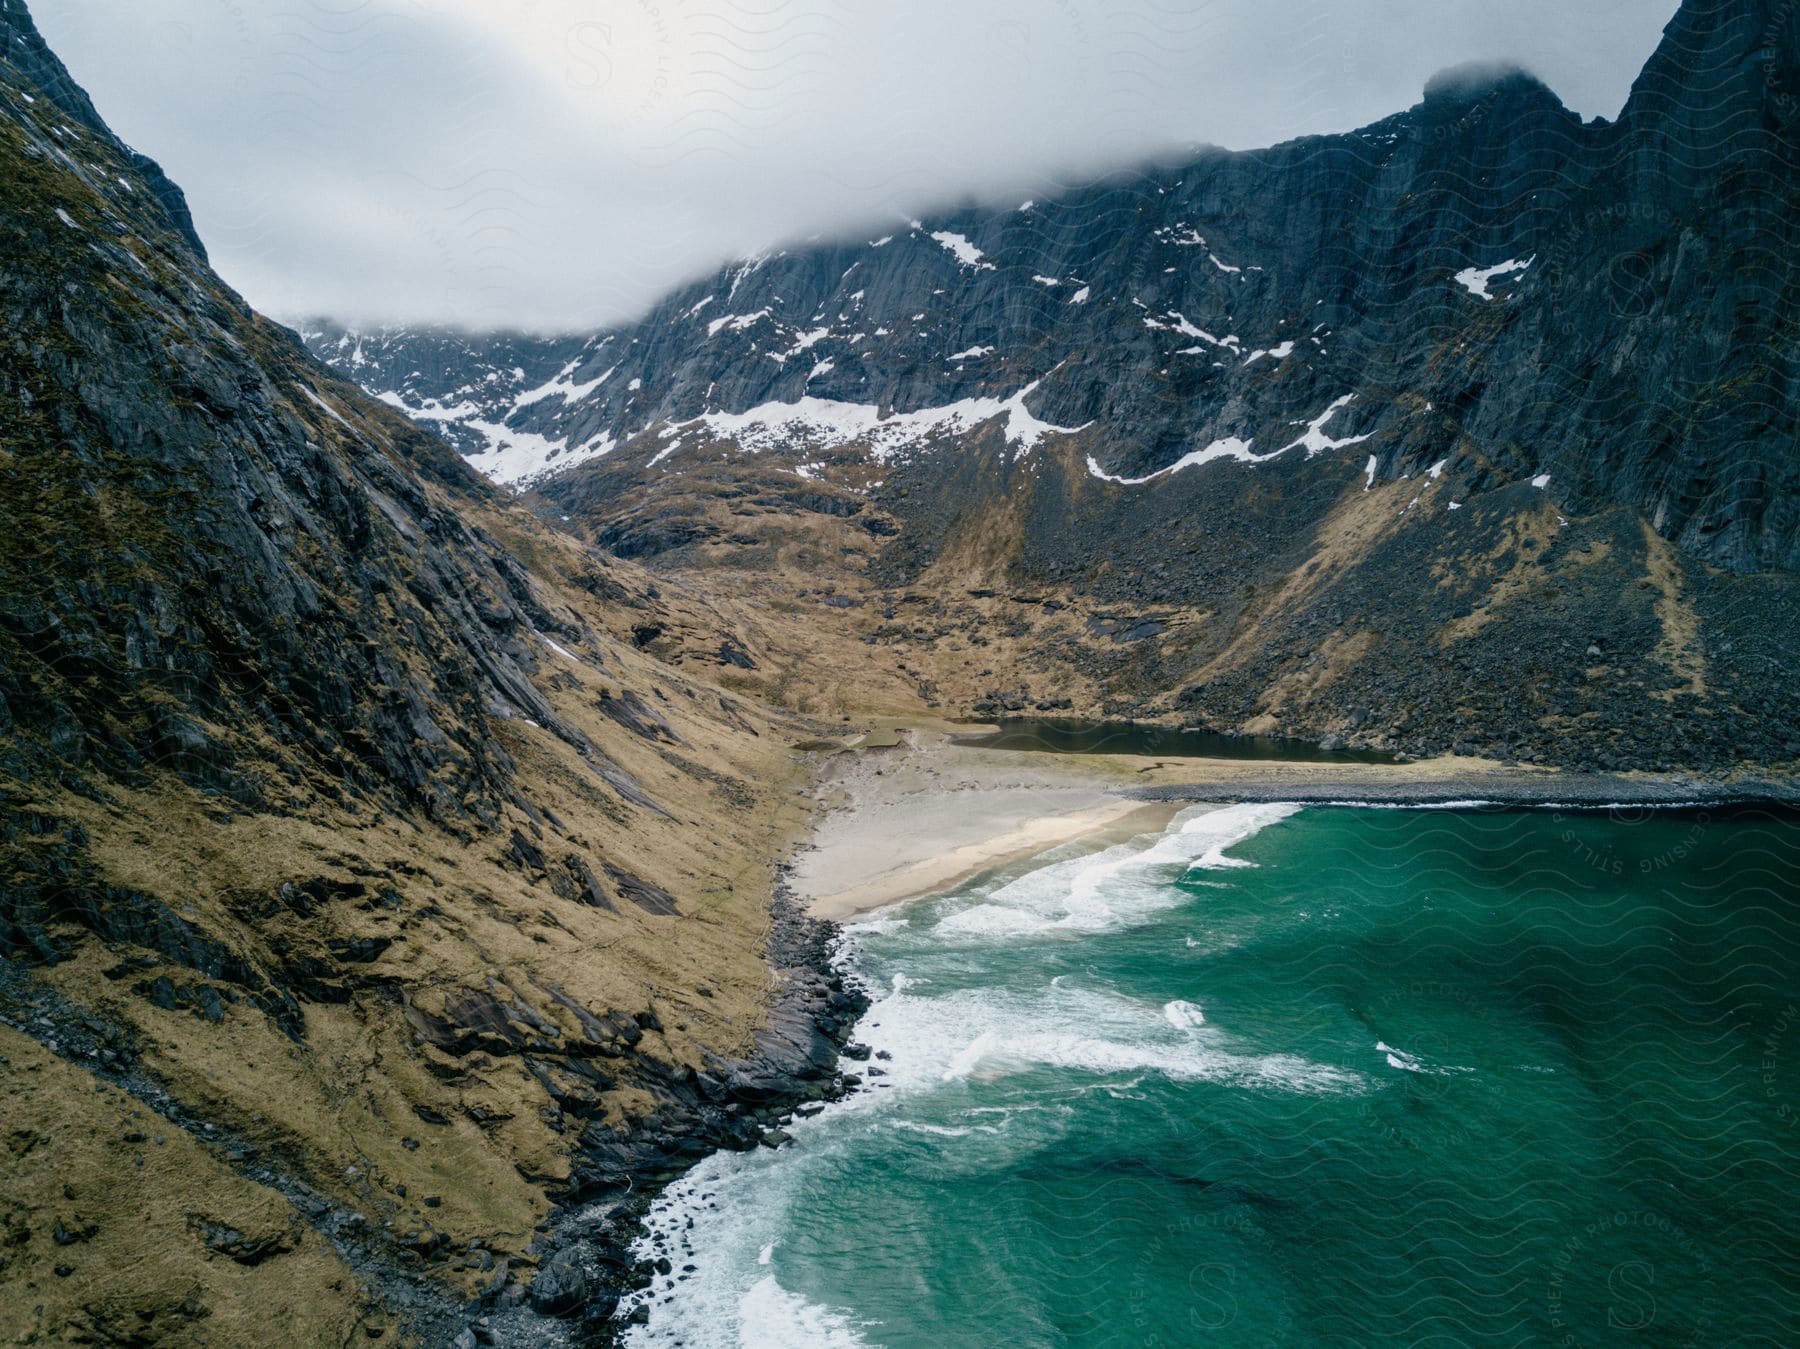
(1327, 1076)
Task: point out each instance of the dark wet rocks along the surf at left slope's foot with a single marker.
(584, 1253)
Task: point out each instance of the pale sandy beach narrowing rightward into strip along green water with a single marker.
(913, 813)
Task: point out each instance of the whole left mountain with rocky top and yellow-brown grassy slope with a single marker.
(382, 869)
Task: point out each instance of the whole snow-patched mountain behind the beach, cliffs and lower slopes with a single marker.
(1471, 430)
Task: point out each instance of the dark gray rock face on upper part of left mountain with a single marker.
(206, 530)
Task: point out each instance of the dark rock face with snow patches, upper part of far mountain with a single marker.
(1635, 352)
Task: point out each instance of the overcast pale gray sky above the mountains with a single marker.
(561, 163)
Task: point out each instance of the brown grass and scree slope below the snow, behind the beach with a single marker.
(1435, 613)
